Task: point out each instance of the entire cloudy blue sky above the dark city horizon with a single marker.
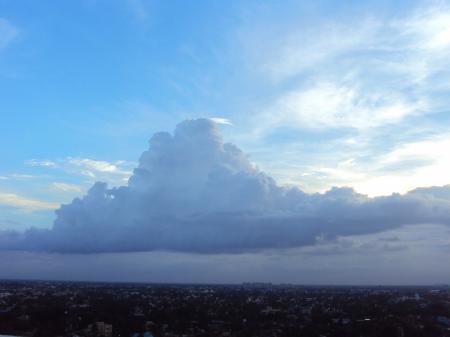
(225, 141)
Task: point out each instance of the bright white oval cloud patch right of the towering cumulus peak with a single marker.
(328, 105)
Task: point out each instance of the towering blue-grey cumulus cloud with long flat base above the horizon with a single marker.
(192, 192)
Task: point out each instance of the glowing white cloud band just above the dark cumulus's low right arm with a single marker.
(407, 166)
